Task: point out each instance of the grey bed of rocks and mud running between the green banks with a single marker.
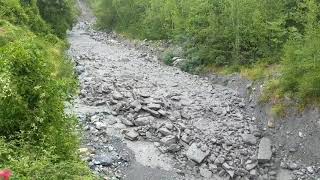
(144, 120)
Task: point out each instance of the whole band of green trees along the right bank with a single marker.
(237, 35)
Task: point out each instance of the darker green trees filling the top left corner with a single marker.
(41, 16)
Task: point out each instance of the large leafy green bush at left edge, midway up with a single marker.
(31, 98)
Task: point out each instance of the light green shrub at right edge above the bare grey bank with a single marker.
(301, 65)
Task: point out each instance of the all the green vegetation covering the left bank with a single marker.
(37, 139)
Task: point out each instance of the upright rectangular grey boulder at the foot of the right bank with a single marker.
(264, 152)
